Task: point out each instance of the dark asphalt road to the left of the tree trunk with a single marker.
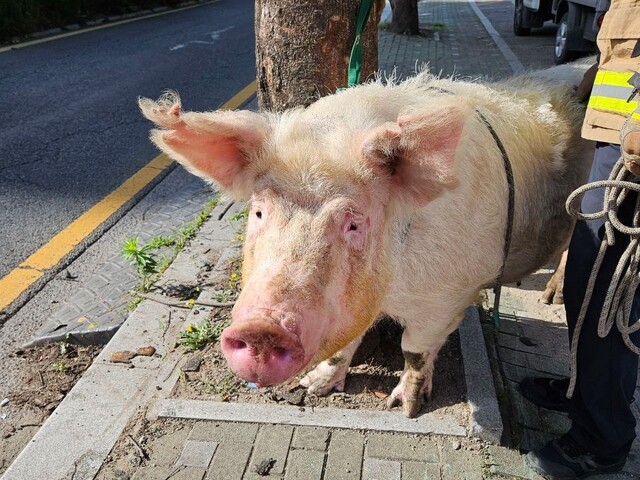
(70, 129)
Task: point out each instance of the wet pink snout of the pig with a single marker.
(262, 352)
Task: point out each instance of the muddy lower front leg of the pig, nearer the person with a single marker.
(416, 379)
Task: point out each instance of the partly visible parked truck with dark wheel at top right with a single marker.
(578, 23)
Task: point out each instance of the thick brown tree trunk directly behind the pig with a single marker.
(303, 48)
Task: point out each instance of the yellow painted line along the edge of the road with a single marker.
(62, 244)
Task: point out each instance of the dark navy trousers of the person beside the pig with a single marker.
(607, 370)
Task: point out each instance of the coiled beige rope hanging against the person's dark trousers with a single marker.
(626, 278)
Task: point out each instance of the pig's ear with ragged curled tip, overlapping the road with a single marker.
(218, 146)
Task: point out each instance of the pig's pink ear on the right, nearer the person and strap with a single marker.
(417, 153)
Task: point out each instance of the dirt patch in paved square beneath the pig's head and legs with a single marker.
(374, 372)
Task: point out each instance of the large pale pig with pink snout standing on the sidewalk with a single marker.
(388, 198)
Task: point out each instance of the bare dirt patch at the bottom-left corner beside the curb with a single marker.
(47, 374)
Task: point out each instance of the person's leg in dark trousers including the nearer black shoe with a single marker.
(603, 426)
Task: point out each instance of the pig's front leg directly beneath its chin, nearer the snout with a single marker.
(330, 374)
